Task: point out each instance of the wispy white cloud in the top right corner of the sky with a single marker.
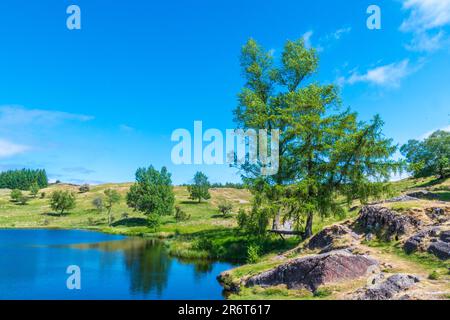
(426, 20)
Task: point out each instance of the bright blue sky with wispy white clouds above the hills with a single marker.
(92, 105)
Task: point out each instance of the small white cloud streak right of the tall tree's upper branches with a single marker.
(389, 75)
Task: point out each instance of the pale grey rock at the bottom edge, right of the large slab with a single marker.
(388, 289)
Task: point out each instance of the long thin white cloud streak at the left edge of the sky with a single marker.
(18, 115)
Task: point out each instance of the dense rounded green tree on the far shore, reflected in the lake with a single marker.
(152, 193)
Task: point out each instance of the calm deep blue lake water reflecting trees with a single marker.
(33, 265)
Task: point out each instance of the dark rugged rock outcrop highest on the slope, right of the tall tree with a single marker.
(380, 219)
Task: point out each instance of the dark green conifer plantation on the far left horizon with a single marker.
(23, 179)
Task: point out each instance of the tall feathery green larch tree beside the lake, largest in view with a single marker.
(324, 152)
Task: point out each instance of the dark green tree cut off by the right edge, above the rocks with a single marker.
(429, 157)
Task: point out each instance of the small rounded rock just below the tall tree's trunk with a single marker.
(332, 238)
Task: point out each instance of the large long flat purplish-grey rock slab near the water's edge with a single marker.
(313, 271)
